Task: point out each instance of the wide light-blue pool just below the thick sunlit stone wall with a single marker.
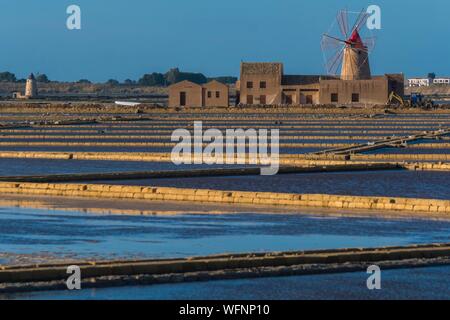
(50, 235)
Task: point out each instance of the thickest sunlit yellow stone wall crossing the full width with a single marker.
(431, 206)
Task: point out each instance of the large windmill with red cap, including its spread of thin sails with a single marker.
(347, 49)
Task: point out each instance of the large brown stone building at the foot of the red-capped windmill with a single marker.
(266, 84)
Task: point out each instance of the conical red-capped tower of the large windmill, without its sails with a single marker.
(355, 65)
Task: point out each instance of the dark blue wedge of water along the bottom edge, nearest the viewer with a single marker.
(419, 283)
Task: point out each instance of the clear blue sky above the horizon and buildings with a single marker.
(125, 39)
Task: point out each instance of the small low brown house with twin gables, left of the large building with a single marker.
(190, 94)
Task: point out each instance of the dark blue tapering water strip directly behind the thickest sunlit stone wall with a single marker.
(390, 183)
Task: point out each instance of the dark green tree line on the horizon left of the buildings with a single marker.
(151, 79)
